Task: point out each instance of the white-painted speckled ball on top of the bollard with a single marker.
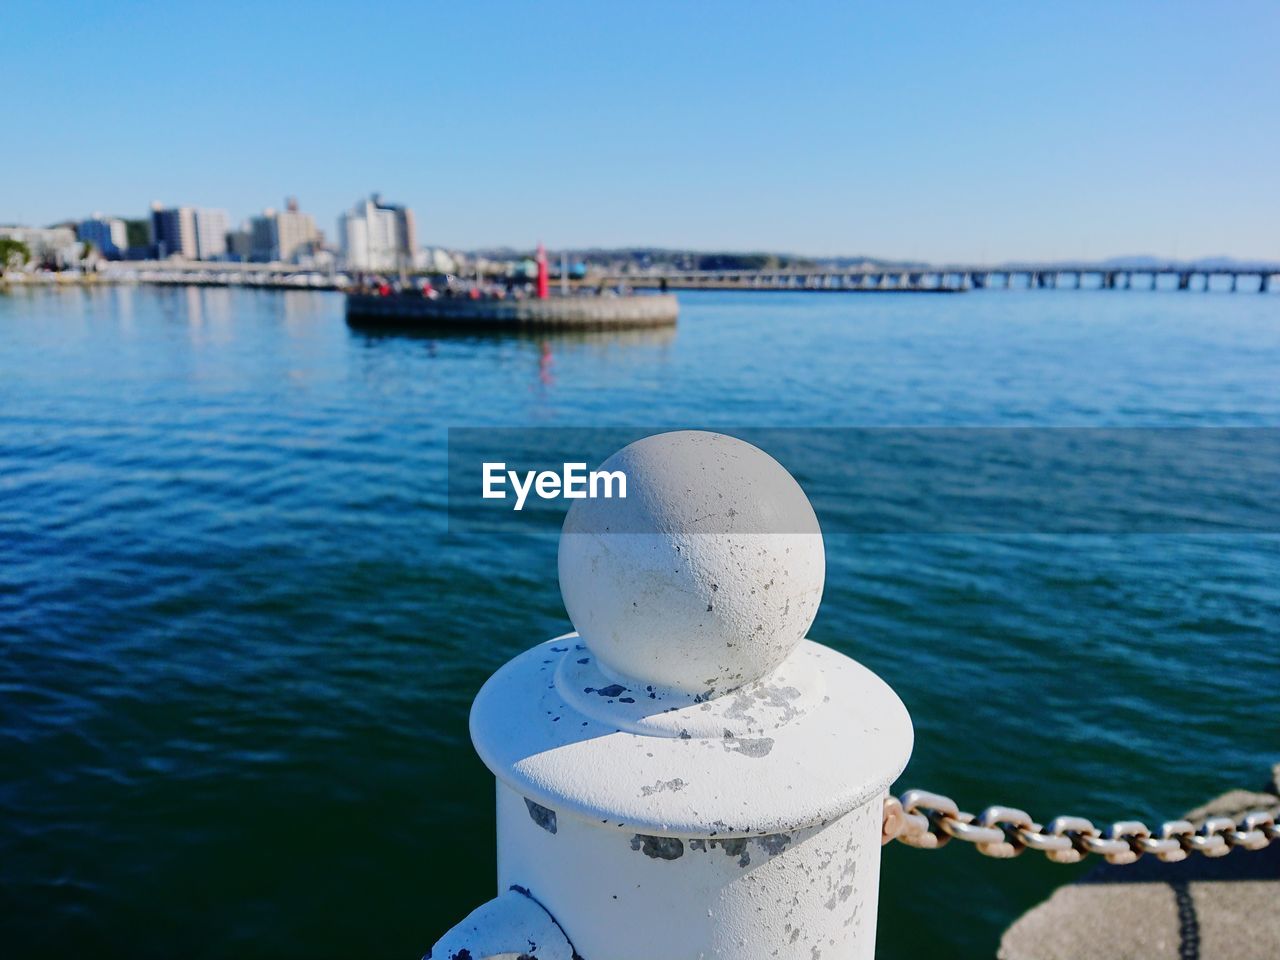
(706, 577)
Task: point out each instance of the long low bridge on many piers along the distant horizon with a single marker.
(950, 280)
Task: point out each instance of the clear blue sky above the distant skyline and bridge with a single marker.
(943, 131)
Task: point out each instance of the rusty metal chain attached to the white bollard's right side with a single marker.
(931, 821)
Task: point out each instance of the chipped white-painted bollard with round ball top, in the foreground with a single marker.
(687, 776)
